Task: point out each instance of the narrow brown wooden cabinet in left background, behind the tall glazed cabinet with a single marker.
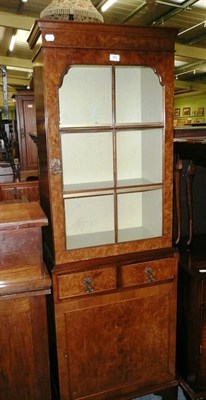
(26, 125)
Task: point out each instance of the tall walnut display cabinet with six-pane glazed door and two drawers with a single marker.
(104, 104)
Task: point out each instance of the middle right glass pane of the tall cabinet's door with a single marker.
(139, 157)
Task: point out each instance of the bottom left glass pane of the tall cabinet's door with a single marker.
(89, 221)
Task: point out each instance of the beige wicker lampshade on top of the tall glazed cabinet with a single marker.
(77, 10)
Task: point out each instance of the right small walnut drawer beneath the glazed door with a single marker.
(147, 272)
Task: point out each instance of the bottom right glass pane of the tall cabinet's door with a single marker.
(136, 216)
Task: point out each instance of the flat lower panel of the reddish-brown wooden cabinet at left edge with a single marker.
(24, 354)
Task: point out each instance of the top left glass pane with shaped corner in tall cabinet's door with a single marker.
(88, 94)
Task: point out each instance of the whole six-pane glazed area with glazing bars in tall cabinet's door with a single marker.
(112, 154)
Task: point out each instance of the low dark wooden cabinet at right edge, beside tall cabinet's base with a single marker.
(191, 332)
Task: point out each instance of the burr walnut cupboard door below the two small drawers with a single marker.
(116, 344)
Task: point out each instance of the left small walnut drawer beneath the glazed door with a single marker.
(81, 283)
